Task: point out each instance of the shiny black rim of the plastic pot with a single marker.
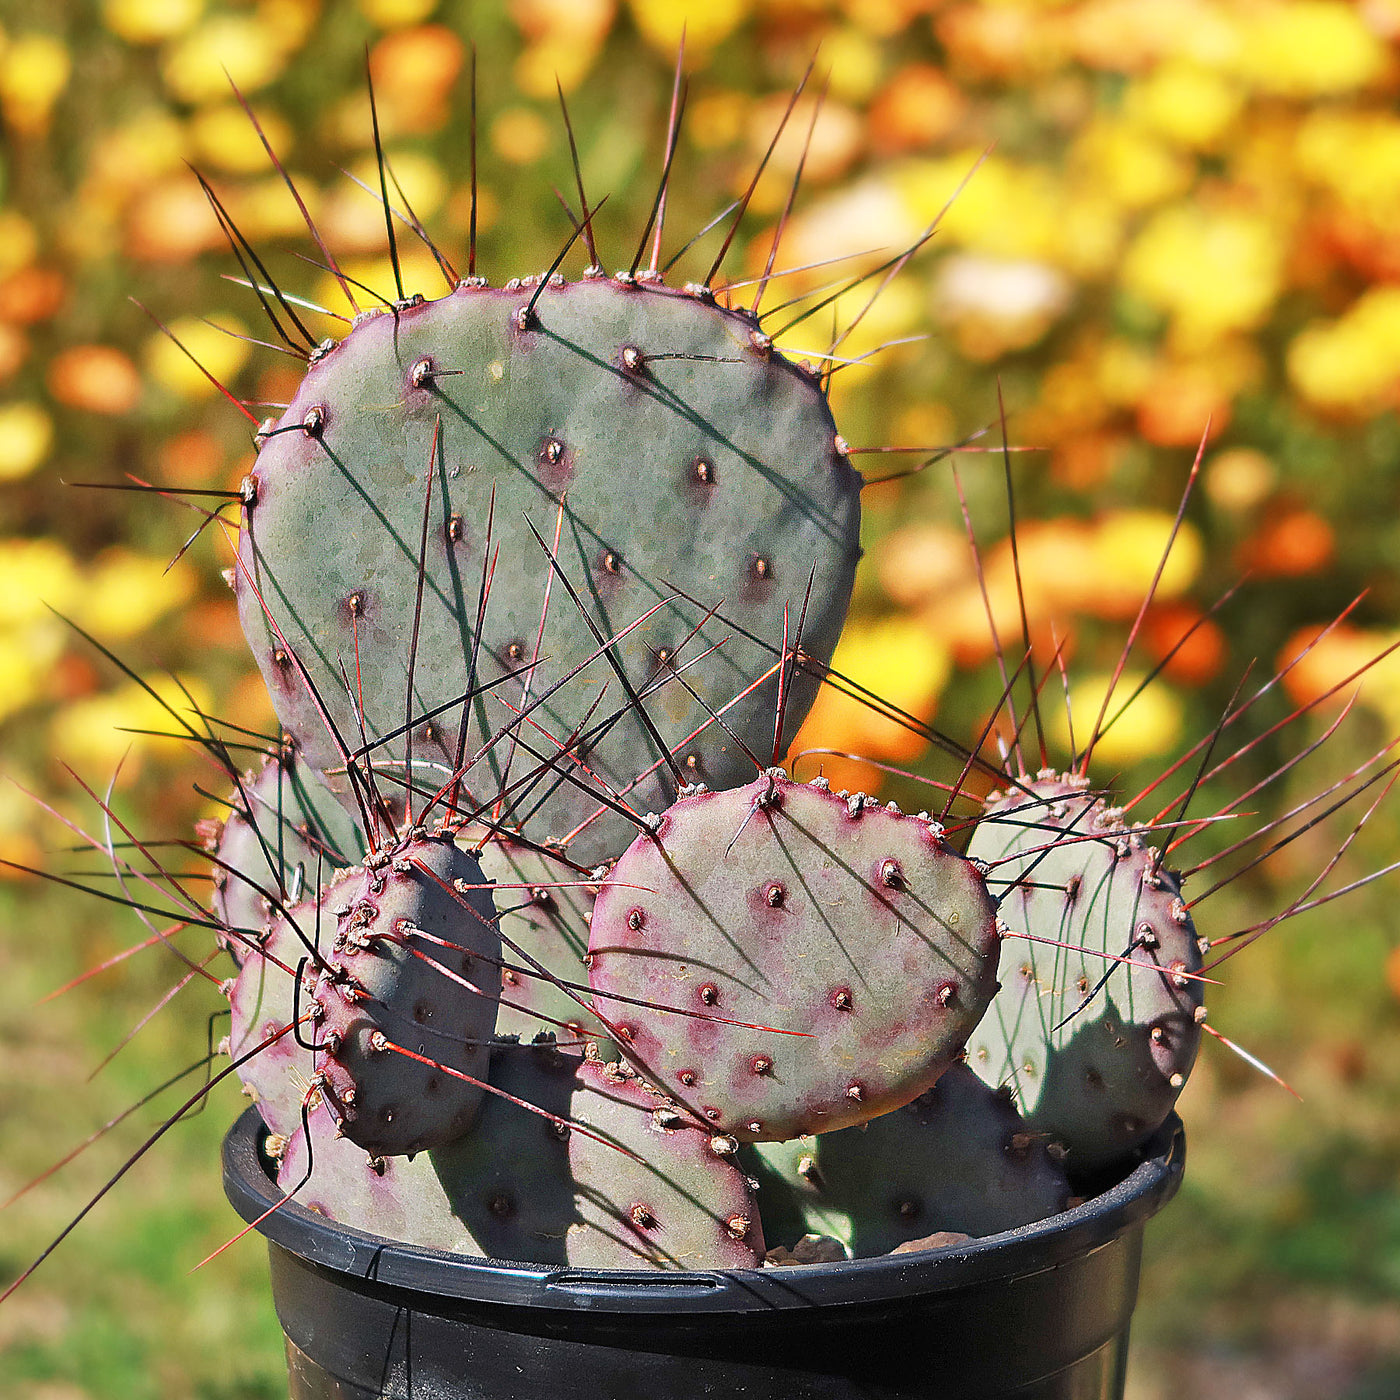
(561, 1289)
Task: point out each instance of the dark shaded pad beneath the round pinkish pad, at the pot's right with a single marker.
(958, 1158)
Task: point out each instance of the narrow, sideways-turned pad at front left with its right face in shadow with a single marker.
(412, 972)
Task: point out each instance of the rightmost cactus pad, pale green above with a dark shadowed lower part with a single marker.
(1095, 1051)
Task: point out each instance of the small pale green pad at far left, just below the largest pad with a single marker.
(285, 829)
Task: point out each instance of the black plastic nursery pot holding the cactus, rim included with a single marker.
(1037, 1314)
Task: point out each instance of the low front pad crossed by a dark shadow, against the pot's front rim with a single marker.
(527, 1188)
